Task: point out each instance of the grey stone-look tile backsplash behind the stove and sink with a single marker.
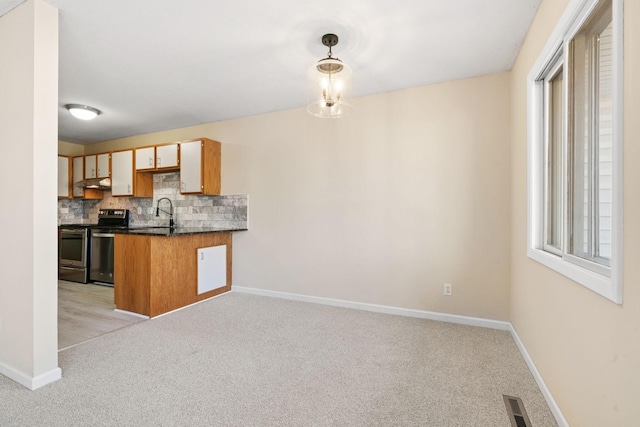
(188, 210)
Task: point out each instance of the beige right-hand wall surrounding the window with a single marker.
(586, 347)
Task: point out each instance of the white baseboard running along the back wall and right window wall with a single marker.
(430, 315)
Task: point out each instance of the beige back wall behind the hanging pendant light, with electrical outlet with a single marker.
(382, 207)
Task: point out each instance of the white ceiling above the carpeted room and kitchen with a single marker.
(153, 65)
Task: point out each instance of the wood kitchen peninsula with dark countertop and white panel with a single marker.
(160, 269)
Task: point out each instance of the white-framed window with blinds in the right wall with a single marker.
(575, 148)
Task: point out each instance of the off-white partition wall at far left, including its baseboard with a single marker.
(28, 138)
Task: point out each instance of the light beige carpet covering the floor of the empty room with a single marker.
(247, 360)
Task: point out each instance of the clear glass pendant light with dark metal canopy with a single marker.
(329, 85)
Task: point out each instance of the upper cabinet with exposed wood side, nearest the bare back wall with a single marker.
(200, 167)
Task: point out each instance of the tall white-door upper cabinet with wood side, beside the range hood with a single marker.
(124, 180)
